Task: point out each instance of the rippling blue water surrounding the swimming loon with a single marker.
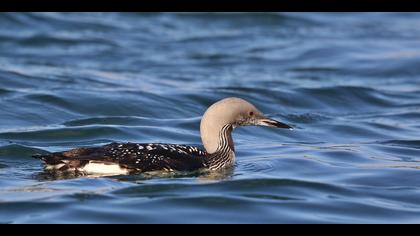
(348, 83)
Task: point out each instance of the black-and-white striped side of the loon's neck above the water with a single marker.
(224, 155)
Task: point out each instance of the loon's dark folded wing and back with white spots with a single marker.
(144, 157)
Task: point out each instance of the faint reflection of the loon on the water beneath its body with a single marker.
(202, 175)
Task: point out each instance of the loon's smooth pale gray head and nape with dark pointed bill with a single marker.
(234, 112)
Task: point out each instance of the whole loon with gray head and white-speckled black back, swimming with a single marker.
(216, 127)
